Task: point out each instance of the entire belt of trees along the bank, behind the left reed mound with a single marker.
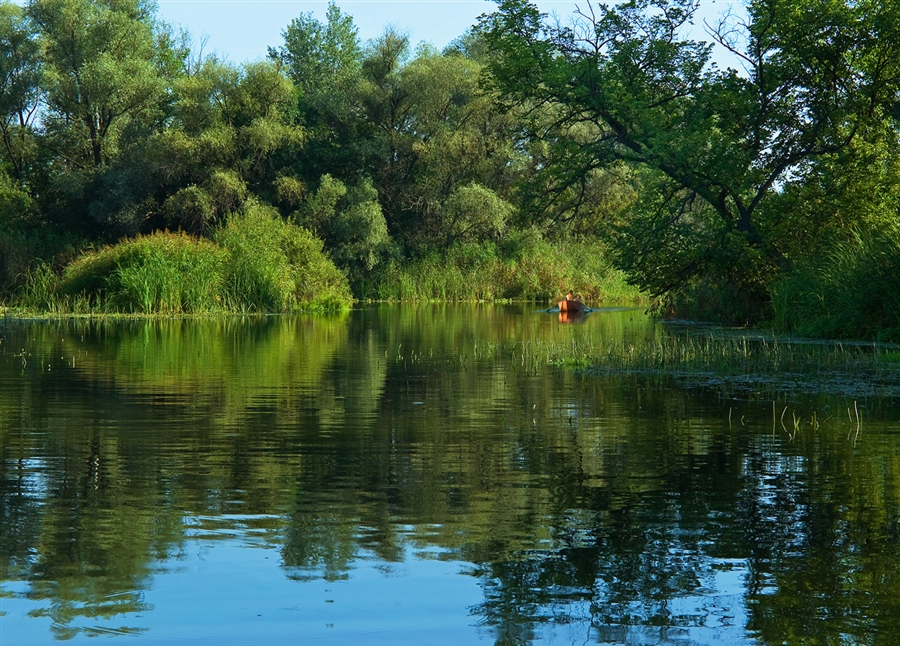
(614, 141)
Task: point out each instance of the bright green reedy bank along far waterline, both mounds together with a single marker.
(257, 262)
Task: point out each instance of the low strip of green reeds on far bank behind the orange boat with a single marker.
(525, 267)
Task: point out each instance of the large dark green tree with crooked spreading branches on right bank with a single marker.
(718, 148)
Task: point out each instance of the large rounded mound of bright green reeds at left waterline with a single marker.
(256, 263)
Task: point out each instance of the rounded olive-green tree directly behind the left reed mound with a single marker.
(231, 140)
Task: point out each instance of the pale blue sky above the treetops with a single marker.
(242, 30)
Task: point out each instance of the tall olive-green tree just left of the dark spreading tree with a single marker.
(460, 145)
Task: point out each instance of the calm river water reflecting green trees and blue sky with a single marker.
(406, 475)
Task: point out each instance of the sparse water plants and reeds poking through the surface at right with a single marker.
(735, 367)
